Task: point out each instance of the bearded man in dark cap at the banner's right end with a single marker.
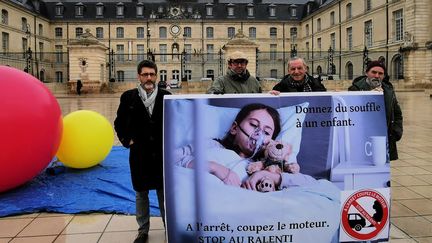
(376, 78)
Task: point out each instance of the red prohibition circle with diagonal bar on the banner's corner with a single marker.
(352, 201)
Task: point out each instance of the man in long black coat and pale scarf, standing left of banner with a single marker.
(139, 127)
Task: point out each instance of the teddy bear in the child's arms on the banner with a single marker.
(276, 155)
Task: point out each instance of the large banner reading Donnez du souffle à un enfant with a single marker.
(304, 167)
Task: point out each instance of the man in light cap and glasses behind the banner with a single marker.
(237, 79)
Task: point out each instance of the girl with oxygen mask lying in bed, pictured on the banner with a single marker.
(252, 132)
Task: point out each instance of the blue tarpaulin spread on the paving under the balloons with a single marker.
(105, 188)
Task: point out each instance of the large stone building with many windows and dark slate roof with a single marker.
(101, 40)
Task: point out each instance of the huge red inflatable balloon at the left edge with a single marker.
(30, 127)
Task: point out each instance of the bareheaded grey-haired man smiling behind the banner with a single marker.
(297, 79)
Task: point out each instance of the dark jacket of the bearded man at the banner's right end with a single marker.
(393, 111)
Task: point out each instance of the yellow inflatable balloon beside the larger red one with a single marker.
(87, 139)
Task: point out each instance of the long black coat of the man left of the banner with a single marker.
(134, 123)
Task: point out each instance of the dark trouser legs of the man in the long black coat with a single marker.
(143, 210)
